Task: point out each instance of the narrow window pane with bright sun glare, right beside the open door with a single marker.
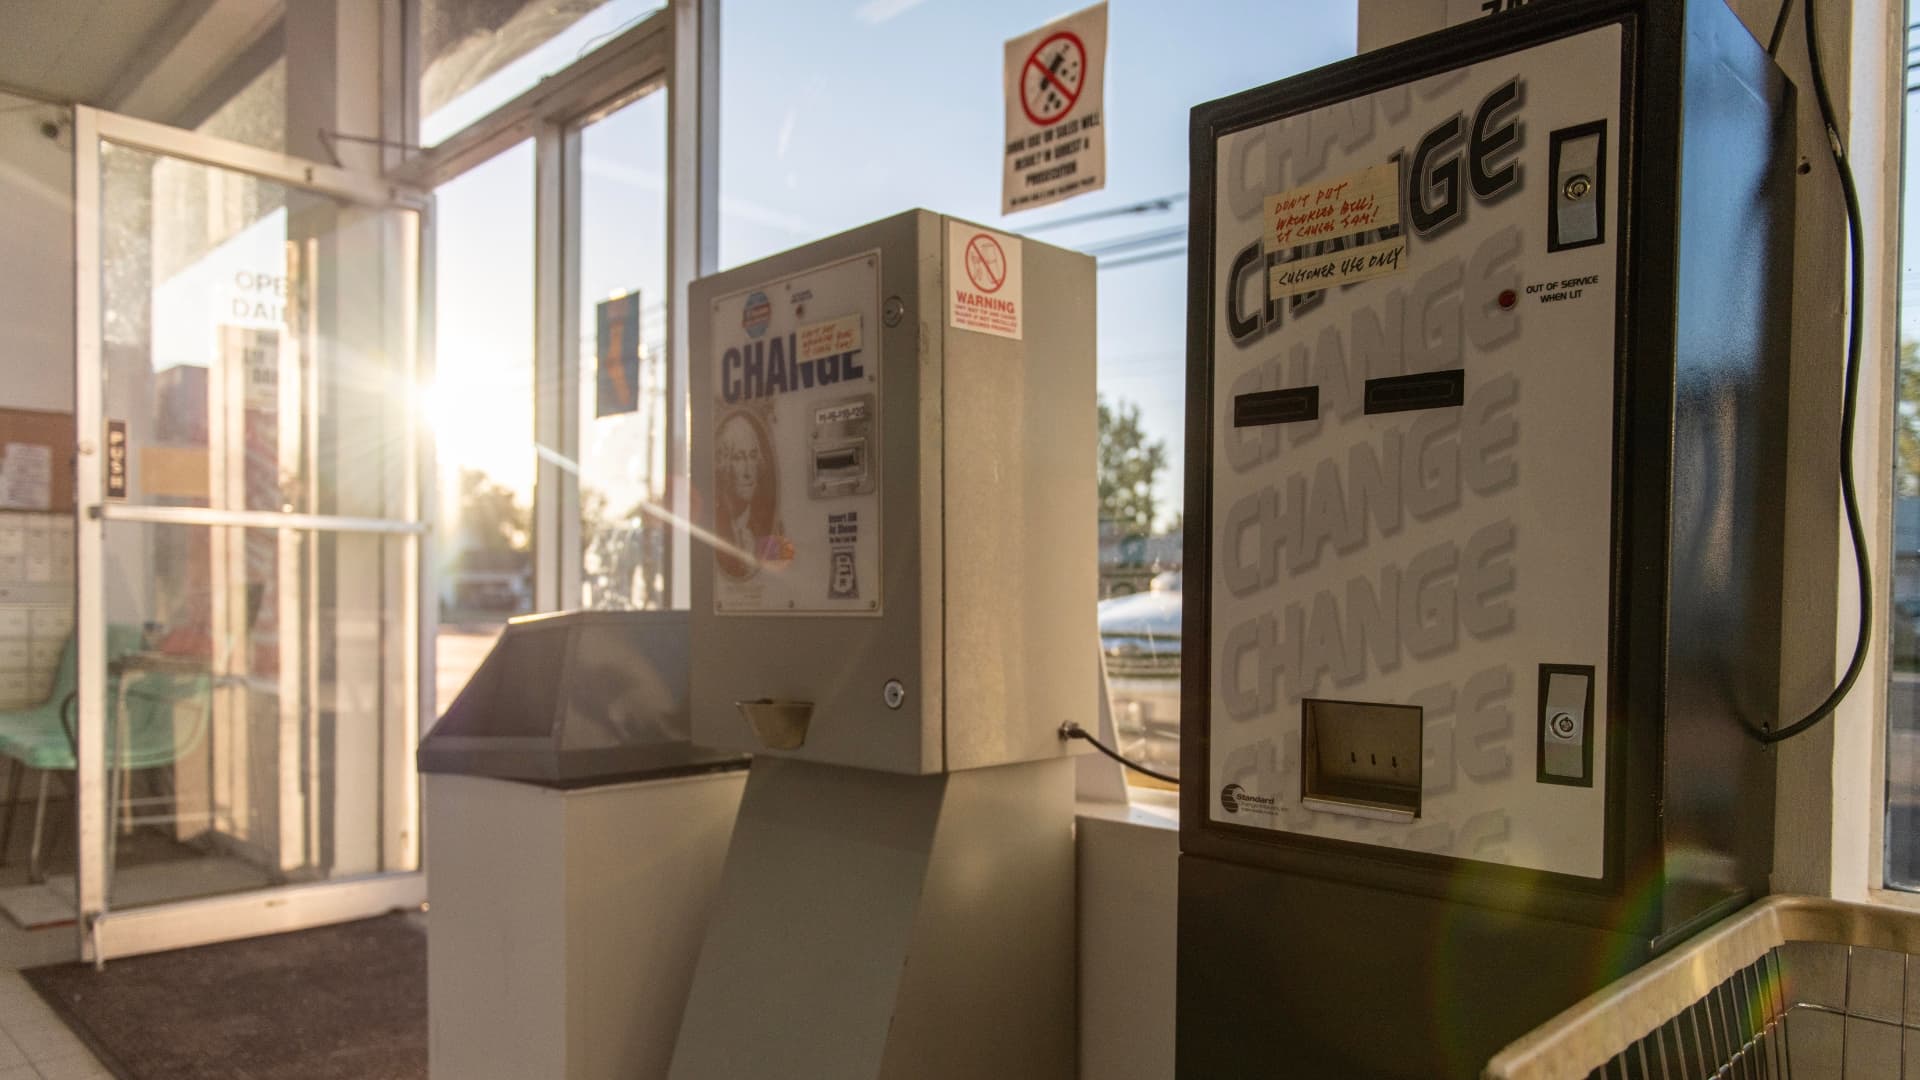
(483, 408)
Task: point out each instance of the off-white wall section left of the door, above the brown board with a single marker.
(36, 258)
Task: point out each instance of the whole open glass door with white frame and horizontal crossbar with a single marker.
(251, 528)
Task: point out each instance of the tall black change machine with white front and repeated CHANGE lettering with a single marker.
(1487, 430)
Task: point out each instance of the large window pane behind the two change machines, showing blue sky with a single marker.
(809, 149)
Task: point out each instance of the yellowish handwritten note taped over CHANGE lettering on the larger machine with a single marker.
(1335, 233)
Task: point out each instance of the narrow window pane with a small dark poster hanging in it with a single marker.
(623, 358)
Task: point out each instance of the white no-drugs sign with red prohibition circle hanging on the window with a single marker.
(1055, 112)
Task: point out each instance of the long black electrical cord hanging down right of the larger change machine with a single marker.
(1856, 293)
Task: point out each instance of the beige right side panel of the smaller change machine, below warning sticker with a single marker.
(1022, 579)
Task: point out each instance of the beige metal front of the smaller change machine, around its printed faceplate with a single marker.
(840, 664)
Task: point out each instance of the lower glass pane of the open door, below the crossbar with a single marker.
(256, 691)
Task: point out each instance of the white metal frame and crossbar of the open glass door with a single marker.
(105, 933)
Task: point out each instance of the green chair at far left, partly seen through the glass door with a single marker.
(143, 699)
